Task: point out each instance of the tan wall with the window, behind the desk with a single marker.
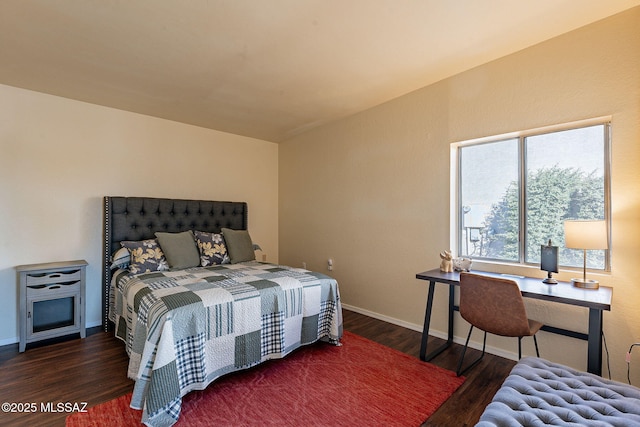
(372, 191)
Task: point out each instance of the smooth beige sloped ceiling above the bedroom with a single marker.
(265, 69)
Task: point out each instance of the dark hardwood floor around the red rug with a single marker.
(93, 370)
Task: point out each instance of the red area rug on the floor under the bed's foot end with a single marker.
(359, 383)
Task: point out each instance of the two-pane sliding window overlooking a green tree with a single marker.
(514, 192)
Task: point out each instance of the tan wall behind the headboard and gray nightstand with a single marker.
(59, 157)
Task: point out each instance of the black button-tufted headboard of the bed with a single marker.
(138, 218)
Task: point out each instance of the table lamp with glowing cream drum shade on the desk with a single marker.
(585, 234)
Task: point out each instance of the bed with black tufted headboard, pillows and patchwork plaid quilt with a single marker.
(186, 321)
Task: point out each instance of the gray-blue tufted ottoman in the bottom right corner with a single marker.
(539, 393)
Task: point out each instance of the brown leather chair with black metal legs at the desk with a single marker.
(494, 305)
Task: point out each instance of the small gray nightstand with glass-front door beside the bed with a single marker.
(52, 299)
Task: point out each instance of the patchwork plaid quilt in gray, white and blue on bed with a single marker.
(185, 328)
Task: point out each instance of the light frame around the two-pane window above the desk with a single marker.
(456, 210)
